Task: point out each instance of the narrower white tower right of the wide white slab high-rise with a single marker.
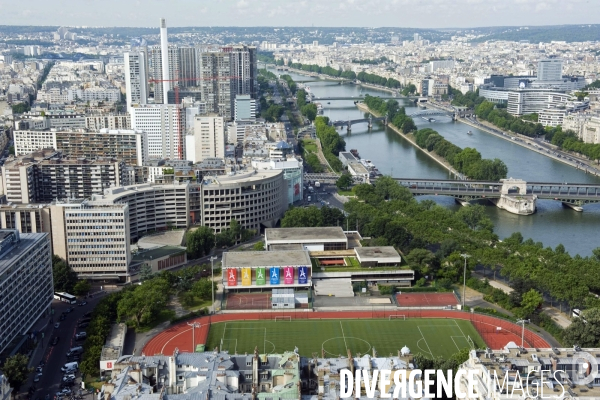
(207, 140)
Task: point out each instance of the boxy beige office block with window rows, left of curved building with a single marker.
(93, 238)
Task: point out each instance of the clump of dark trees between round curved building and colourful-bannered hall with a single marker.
(202, 240)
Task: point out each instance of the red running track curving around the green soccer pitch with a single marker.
(180, 336)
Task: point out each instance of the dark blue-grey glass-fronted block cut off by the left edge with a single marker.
(26, 285)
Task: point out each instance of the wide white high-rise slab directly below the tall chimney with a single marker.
(164, 125)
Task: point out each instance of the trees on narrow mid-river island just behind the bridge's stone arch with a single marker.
(467, 161)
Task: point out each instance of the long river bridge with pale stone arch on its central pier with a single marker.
(514, 195)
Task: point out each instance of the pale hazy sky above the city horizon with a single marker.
(368, 13)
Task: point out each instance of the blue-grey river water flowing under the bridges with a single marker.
(393, 155)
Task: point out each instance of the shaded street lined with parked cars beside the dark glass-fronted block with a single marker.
(55, 356)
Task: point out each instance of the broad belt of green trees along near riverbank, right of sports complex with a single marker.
(433, 237)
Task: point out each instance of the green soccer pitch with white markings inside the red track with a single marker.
(430, 336)
